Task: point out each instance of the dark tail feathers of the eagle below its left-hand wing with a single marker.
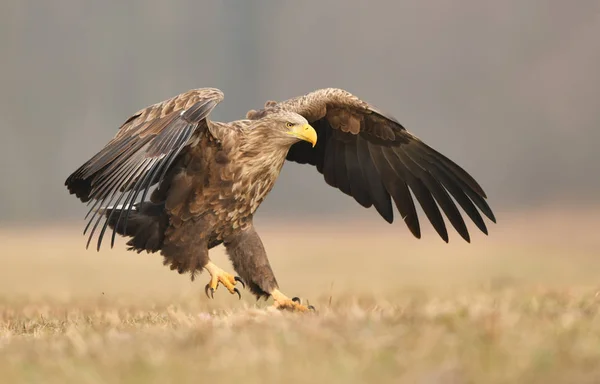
(146, 225)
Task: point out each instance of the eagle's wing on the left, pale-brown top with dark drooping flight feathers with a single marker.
(140, 154)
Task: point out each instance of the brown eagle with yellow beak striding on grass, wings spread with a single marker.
(175, 182)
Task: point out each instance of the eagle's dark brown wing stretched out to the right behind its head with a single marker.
(370, 156)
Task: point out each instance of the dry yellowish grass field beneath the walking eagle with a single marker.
(520, 306)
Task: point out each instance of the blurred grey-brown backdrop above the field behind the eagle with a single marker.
(508, 89)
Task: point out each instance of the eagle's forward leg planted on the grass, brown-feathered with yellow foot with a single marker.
(249, 259)
